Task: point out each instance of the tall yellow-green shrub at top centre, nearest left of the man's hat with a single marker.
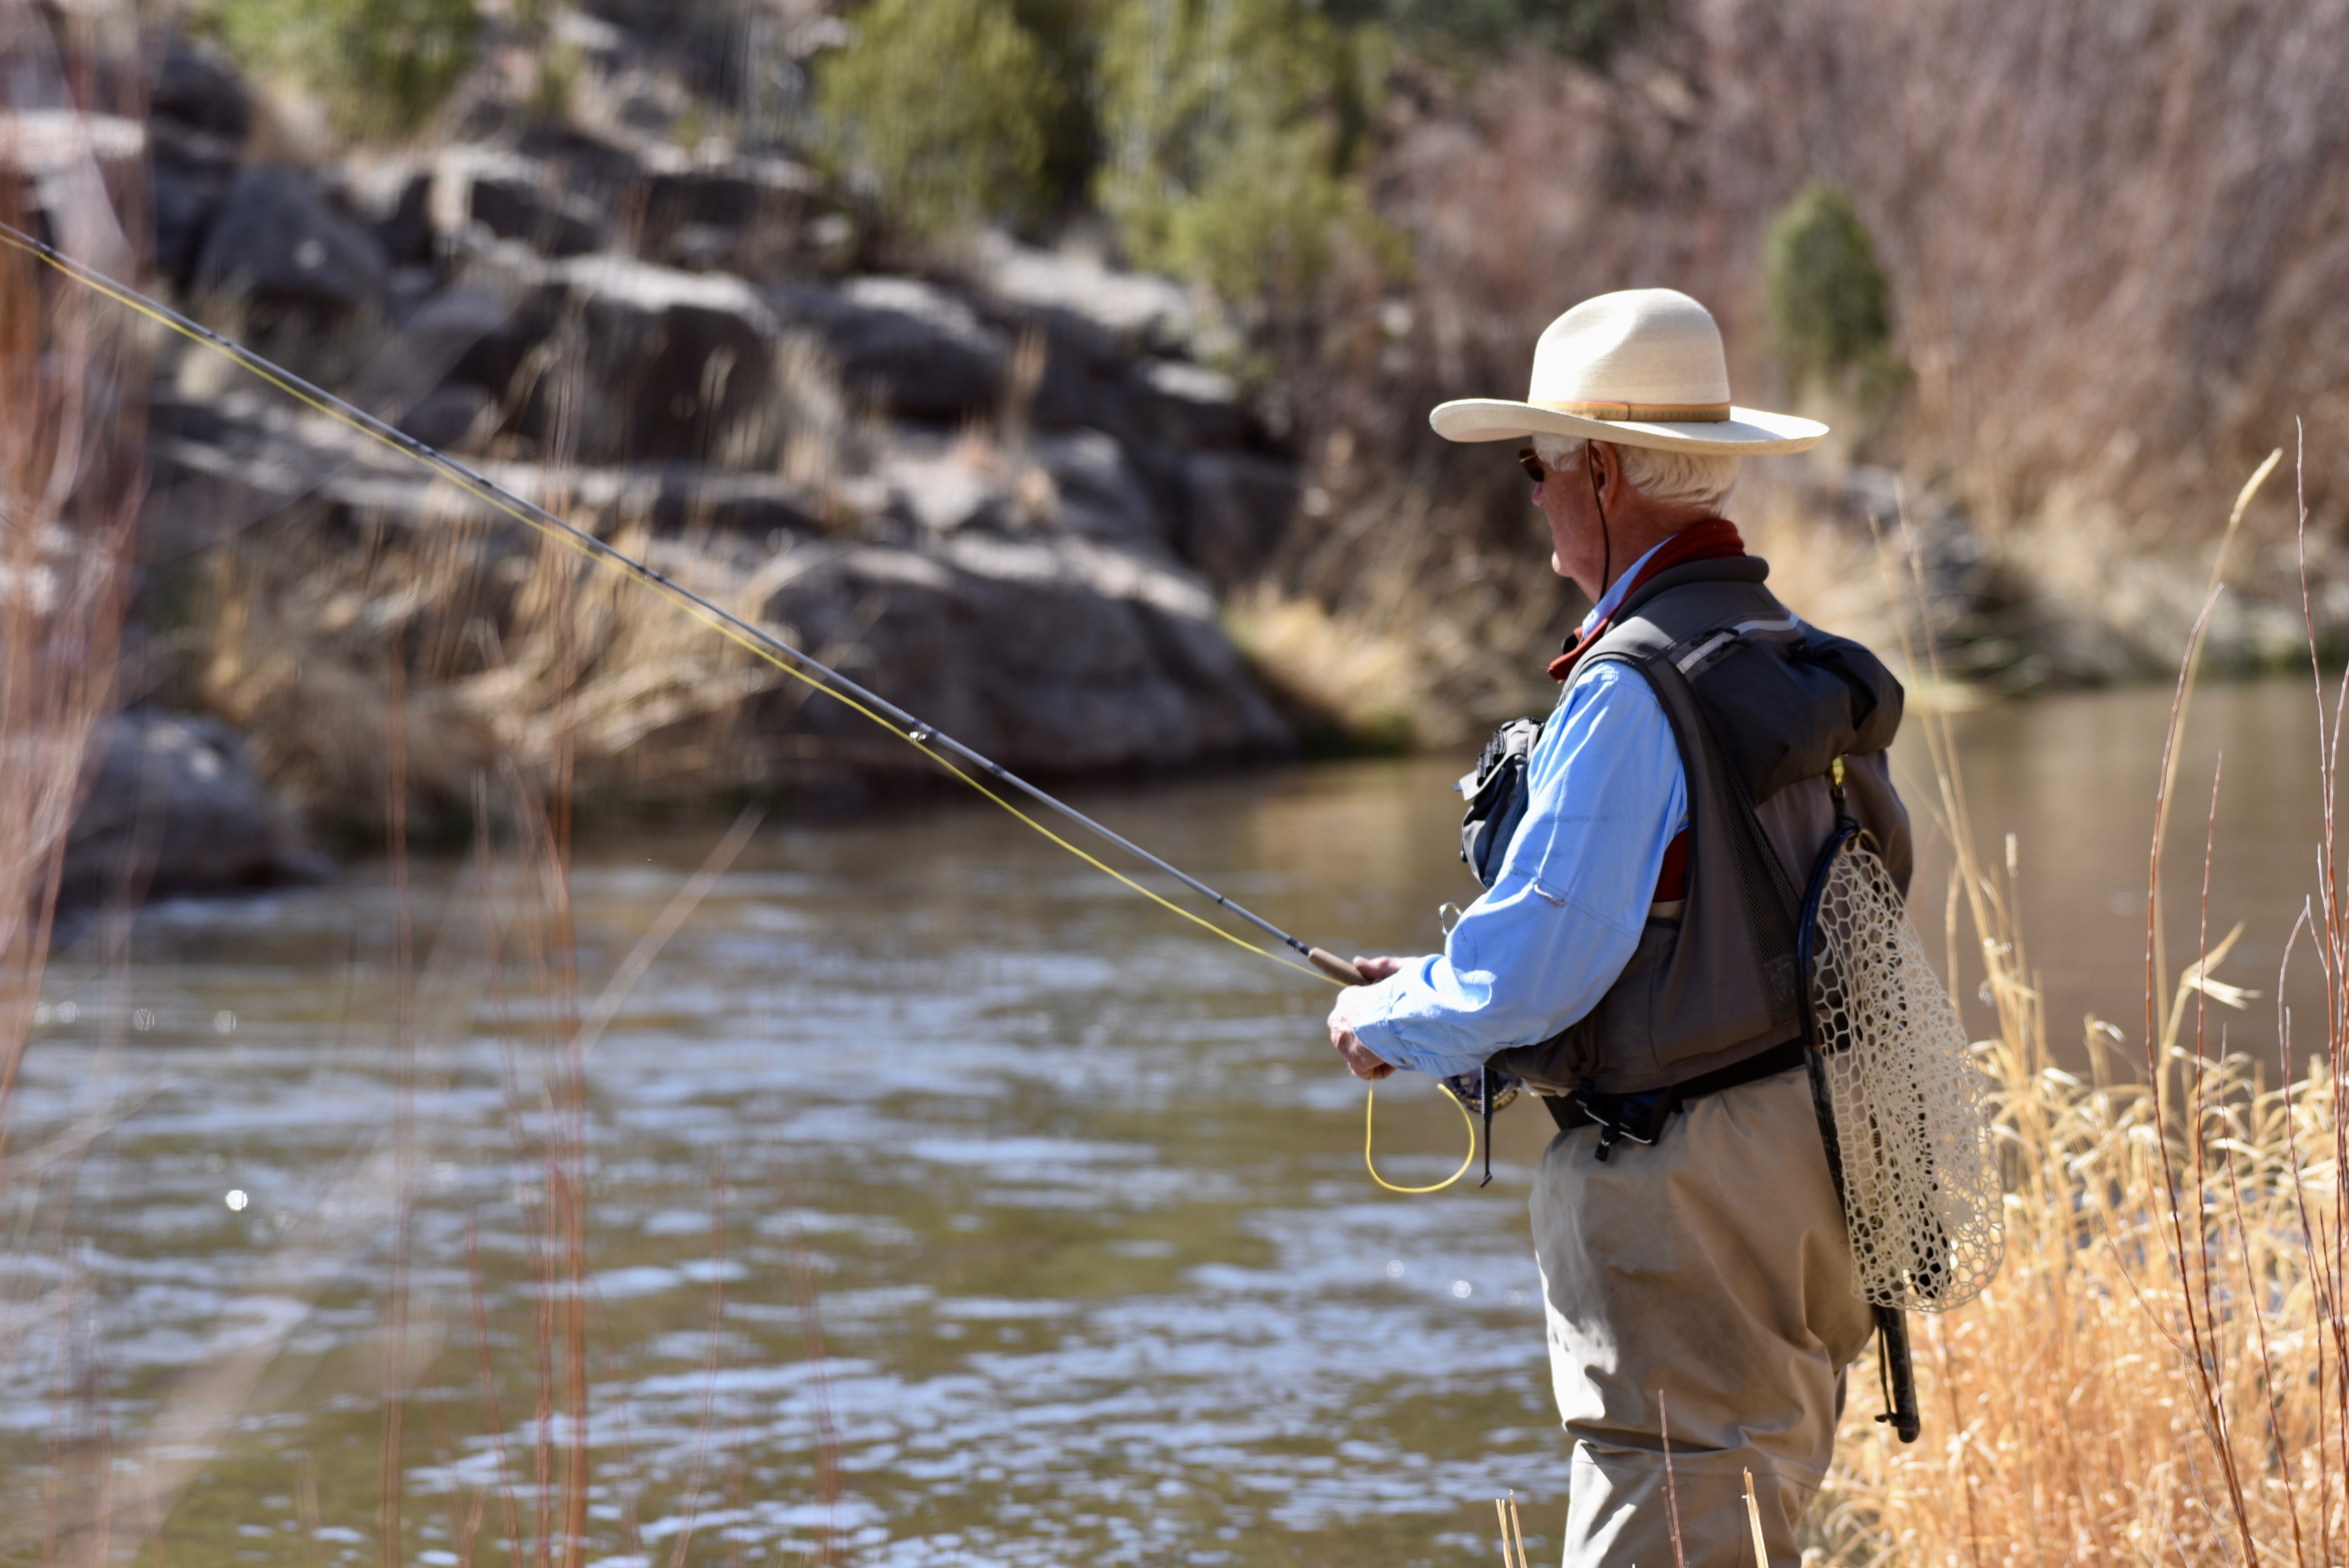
(1230, 130)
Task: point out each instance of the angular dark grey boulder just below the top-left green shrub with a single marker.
(276, 241)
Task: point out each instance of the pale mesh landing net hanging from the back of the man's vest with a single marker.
(1911, 1107)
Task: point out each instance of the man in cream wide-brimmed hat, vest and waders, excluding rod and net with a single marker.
(1634, 959)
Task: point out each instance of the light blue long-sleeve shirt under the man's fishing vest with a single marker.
(1606, 799)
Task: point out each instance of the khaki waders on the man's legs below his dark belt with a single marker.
(1711, 1269)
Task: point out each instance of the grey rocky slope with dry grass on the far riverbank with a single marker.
(1004, 492)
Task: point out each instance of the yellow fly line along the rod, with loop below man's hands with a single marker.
(603, 555)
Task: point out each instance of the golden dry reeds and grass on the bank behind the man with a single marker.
(2160, 1374)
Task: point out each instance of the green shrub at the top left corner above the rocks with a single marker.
(384, 67)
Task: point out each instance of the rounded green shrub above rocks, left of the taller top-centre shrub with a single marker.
(941, 114)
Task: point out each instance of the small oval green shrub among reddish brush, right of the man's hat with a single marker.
(1829, 299)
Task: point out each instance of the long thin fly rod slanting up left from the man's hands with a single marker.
(487, 489)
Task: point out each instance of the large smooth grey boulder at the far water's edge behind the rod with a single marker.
(1046, 651)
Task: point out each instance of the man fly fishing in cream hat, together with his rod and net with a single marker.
(1650, 957)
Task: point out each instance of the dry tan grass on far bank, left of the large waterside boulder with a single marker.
(516, 656)
